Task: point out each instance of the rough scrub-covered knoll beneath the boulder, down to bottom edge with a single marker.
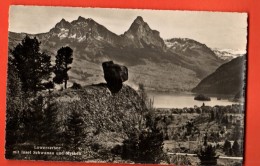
(90, 120)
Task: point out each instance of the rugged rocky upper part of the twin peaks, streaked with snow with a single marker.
(138, 35)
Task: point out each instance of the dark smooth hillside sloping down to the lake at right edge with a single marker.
(228, 79)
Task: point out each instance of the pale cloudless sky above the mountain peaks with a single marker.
(223, 30)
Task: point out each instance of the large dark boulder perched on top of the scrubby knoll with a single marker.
(115, 75)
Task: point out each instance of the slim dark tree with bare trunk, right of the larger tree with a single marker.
(61, 68)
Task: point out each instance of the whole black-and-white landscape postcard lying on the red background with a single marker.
(134, 86)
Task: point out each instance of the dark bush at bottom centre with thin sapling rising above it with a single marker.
(145, 145)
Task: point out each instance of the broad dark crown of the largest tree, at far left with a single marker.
(32, 66)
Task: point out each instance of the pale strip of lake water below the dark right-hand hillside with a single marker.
(162, 100)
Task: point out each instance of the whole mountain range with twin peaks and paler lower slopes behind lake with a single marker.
(161, 65)
